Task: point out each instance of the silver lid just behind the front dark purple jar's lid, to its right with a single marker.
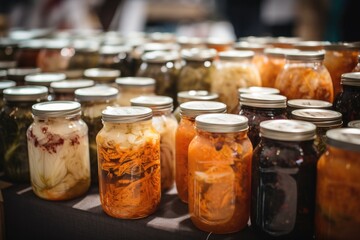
(319, 117)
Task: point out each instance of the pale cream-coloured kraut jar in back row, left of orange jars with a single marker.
(232, 71)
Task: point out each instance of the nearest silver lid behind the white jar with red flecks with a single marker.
(69, 86)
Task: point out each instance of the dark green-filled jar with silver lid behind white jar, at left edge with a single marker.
(15, 119)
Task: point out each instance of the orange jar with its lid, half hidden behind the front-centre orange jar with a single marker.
(184, 134)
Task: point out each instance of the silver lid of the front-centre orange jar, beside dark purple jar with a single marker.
(221, 122)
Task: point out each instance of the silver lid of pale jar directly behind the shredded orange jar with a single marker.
(157, 103)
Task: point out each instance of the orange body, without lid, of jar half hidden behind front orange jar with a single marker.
(184, 134)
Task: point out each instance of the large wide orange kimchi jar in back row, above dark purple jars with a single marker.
(305, 76)
